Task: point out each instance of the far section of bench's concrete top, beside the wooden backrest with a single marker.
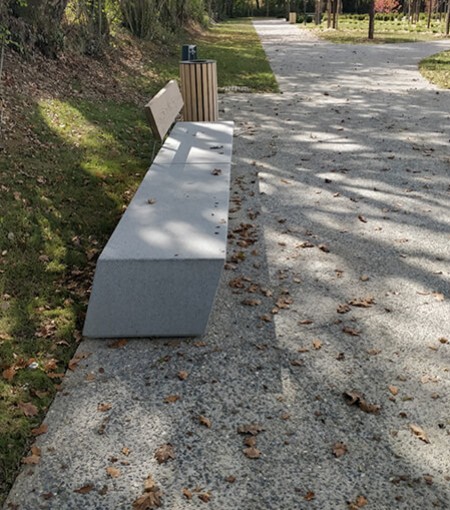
(197, 142)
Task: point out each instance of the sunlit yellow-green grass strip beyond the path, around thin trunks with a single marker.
(355, 31)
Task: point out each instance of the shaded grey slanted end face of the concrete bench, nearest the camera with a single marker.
(163, 299)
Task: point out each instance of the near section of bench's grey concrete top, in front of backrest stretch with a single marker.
(179, 211)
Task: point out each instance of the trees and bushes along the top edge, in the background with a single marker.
(46, 24)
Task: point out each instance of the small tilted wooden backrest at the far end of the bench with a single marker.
(163, 109)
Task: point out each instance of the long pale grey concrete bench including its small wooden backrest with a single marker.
(159, 272)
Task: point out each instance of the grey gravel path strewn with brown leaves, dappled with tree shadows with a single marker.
(336, 292)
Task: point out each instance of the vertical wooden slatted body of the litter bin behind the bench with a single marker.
(199, 90)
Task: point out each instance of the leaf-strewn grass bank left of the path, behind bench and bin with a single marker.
(74, 153)
